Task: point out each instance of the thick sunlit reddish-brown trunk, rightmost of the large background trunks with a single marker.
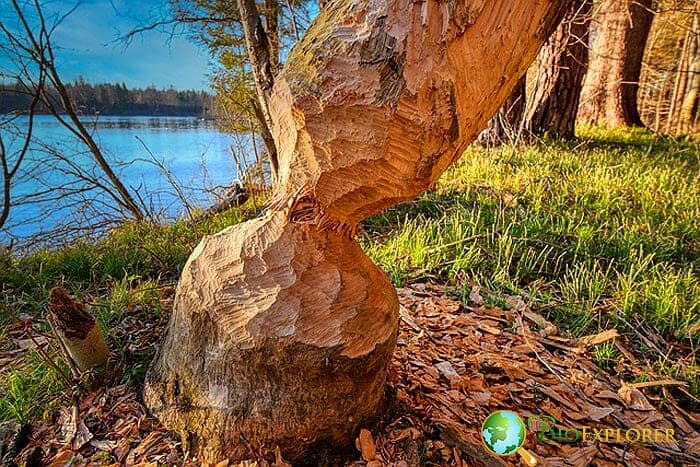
(609, 96)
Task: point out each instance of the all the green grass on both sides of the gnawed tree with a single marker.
(598, 233)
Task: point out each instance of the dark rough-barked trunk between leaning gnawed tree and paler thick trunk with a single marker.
(561, 66)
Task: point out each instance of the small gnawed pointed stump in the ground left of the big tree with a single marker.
(78, 330)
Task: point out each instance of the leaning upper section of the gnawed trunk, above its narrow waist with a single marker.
(380, 97)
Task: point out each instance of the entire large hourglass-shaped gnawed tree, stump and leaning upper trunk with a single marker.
(282, 328)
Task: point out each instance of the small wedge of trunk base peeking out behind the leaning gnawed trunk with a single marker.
(506, 124)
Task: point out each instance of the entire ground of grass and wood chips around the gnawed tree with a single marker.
(555, 279)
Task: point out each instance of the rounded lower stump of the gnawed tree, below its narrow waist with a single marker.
(291, 329)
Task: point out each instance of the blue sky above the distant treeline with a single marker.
(86, 45)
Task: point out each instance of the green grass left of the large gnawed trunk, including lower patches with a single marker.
(127, 269)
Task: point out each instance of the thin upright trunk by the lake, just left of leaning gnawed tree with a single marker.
(263, 68)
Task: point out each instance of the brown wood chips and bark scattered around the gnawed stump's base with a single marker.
(453, 366)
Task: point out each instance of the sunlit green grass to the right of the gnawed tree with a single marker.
(607, 222)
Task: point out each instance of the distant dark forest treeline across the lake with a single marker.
(114, 99)
